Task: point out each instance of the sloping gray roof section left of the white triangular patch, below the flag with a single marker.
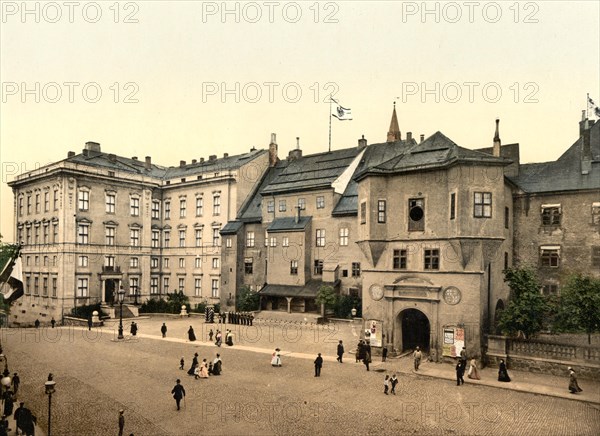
(312, 172)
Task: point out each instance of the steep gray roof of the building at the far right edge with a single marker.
(565, 173)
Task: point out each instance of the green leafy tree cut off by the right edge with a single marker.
(578, 305)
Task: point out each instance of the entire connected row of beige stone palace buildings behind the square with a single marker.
(420, 230)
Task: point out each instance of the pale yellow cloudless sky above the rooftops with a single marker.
(182, 80)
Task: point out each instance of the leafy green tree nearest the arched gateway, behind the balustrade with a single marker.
(527, 307)
